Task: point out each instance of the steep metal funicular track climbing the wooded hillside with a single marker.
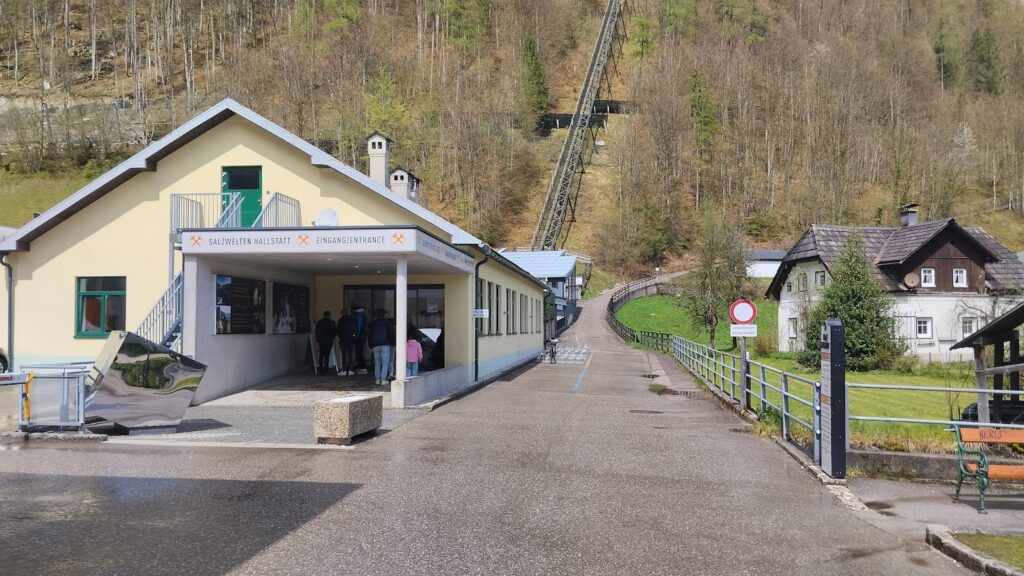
(561, 202)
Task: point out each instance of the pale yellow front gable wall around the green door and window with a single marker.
(125, 233)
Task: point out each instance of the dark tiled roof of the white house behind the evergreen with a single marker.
(886, 246)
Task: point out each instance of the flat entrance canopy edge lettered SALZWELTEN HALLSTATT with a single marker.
(338, 251)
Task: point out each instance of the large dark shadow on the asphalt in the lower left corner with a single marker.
(117, 525)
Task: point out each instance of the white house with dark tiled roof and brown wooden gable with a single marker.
(948, 281)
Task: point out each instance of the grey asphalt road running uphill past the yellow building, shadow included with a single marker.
(558, 470)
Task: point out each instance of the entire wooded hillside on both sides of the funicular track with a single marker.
(778, 113)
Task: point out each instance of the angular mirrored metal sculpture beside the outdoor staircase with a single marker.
(137, 384)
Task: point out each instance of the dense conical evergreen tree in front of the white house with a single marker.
(855, 297)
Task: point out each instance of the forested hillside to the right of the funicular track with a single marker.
(786, 113)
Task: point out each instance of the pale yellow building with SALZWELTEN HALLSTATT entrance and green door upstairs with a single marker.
(229, 238)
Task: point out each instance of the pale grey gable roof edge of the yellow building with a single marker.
(147, 159)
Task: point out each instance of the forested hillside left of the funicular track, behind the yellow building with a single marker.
(454, 84)
